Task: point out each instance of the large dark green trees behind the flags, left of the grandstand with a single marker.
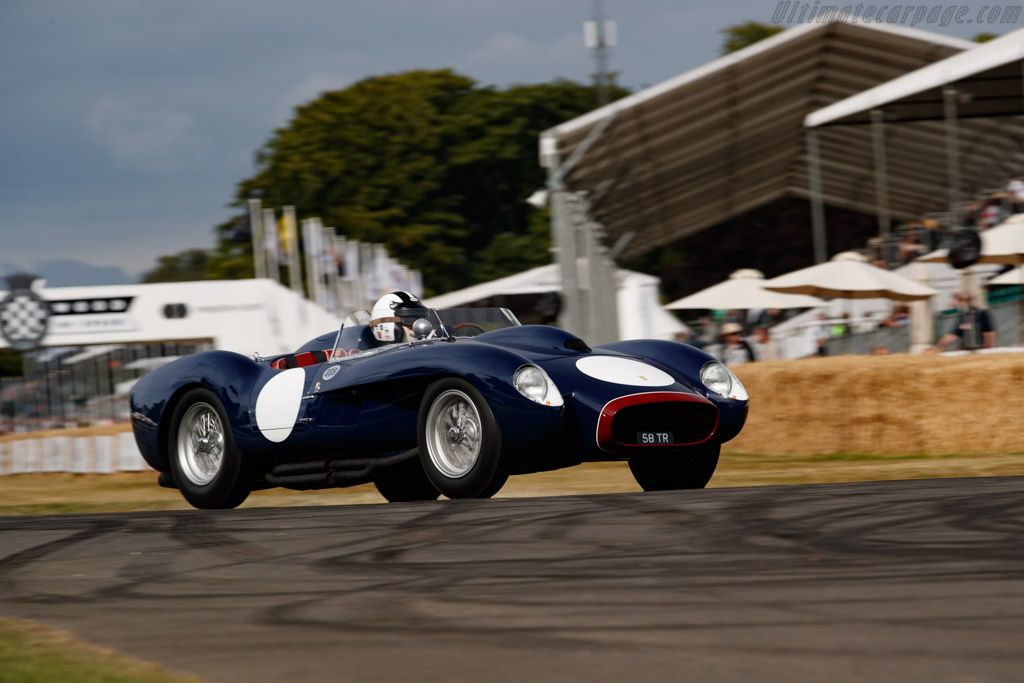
(426, 162)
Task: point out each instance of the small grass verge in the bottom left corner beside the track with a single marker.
(34, 654)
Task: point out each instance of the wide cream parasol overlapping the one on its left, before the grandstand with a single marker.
(848, 276)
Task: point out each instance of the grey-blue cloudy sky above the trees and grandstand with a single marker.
(125, 125)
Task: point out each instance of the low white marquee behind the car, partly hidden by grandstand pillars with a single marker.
(641, 313)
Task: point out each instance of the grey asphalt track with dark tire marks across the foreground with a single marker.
(866, 582)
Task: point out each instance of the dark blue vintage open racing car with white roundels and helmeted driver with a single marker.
(425, 402)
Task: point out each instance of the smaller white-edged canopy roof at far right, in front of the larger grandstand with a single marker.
(989, 77)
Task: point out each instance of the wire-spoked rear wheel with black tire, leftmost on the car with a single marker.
(206, 464)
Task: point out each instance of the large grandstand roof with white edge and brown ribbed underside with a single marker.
(724, 139)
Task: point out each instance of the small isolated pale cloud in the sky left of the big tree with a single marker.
(152, 140)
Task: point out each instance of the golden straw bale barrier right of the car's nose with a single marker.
(885, 405)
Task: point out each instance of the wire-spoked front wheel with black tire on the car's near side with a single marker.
(460, 442)
